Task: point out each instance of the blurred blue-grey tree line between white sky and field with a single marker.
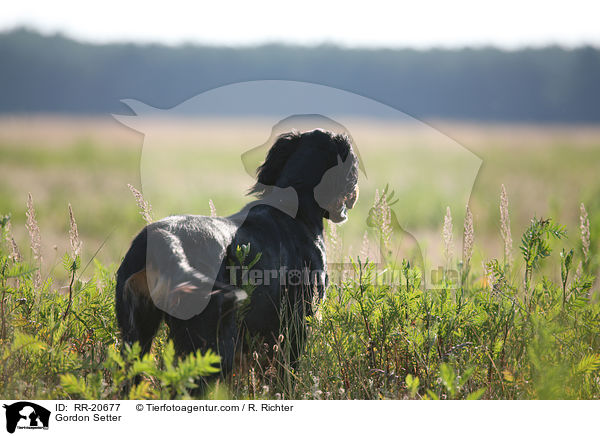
(56, 74)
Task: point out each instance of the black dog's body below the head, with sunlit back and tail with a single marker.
(185, 270)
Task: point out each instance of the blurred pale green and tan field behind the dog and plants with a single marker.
(88, 162)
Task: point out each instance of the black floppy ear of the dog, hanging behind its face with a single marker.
(270, 170)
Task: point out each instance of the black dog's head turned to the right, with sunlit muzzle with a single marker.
(320, 165)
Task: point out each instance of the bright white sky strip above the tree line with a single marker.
(373, 23)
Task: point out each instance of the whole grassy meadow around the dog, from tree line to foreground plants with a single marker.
(518, 320)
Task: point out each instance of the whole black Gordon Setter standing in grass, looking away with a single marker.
(186, 269)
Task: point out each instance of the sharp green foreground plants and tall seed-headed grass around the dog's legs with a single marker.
(519, 333)
